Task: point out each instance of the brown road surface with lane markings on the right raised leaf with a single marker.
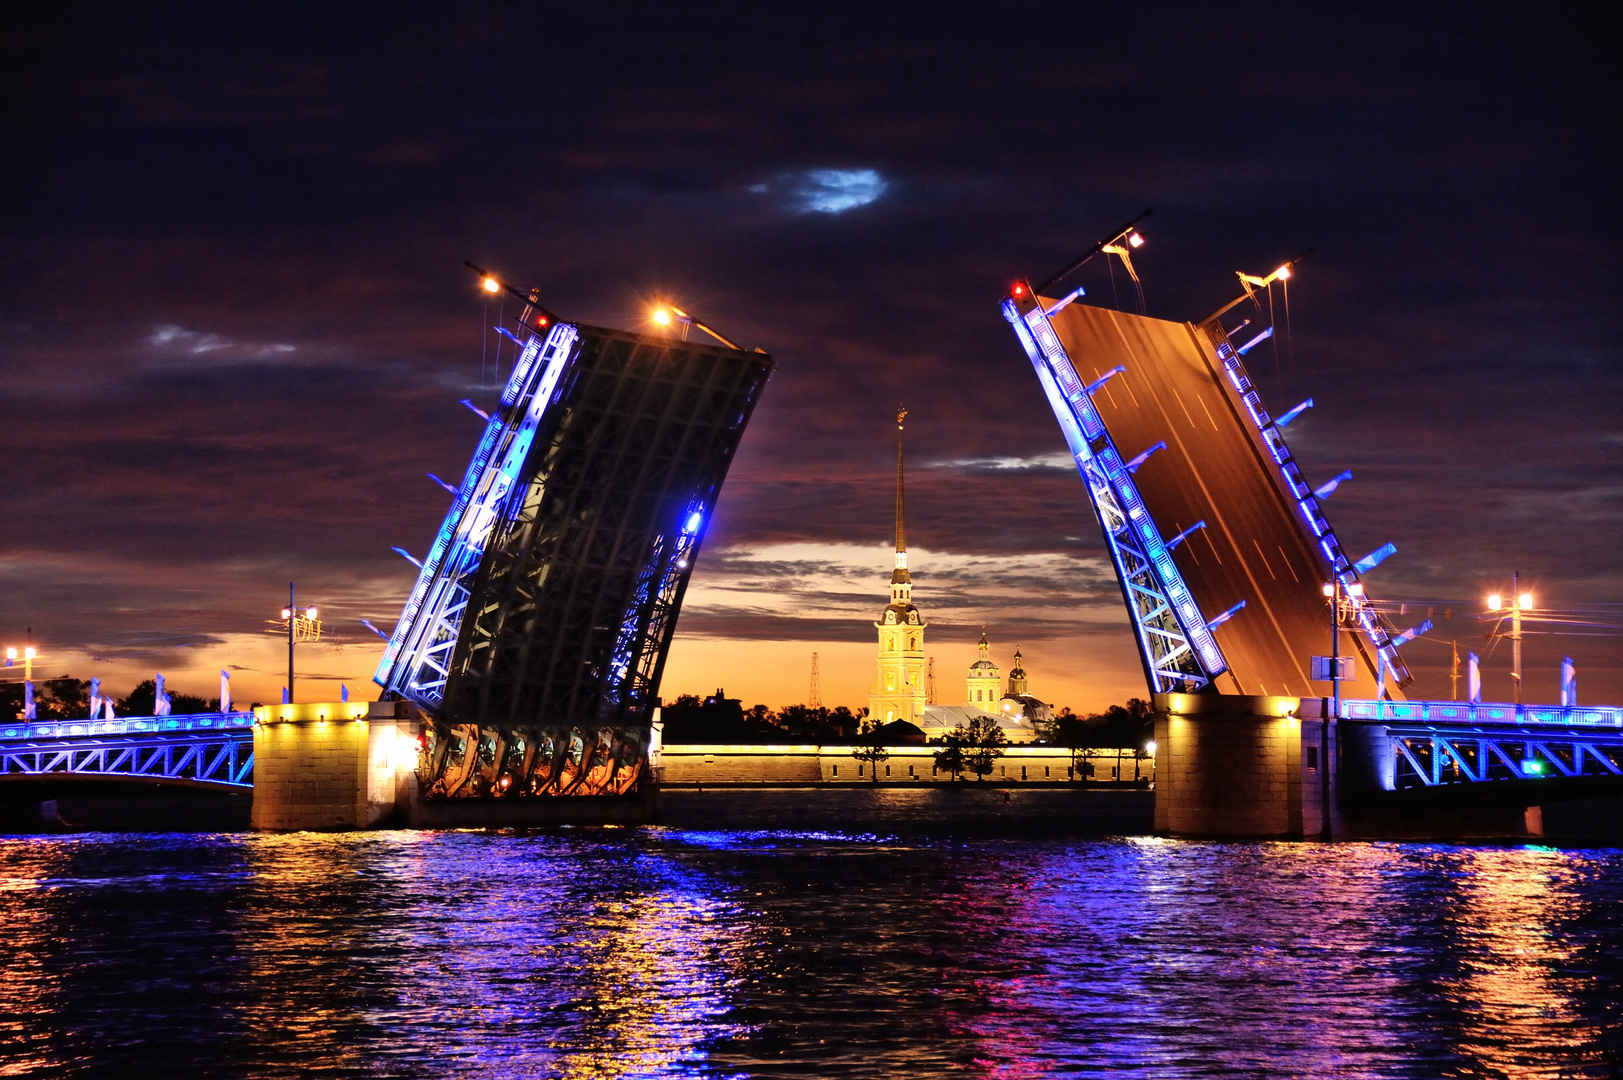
(1215, 469)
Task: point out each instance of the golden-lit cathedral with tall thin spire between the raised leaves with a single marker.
(900, 691)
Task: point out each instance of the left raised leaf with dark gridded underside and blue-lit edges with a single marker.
(551, 594)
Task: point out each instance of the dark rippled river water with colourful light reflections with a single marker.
(669, 953)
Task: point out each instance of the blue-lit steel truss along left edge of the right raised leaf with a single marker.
(1176, 642)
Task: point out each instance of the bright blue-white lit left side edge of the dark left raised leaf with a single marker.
(416, 662)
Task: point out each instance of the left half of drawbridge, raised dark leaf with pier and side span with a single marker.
(522, 678)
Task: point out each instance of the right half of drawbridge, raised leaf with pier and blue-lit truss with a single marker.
(1229, 571)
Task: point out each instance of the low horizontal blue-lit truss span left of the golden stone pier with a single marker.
(215, 754)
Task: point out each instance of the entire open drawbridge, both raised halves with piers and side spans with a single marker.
(522, 676)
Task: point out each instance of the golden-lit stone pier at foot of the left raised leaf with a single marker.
(334, 766)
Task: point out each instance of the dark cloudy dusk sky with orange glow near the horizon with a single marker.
(235, 319)
